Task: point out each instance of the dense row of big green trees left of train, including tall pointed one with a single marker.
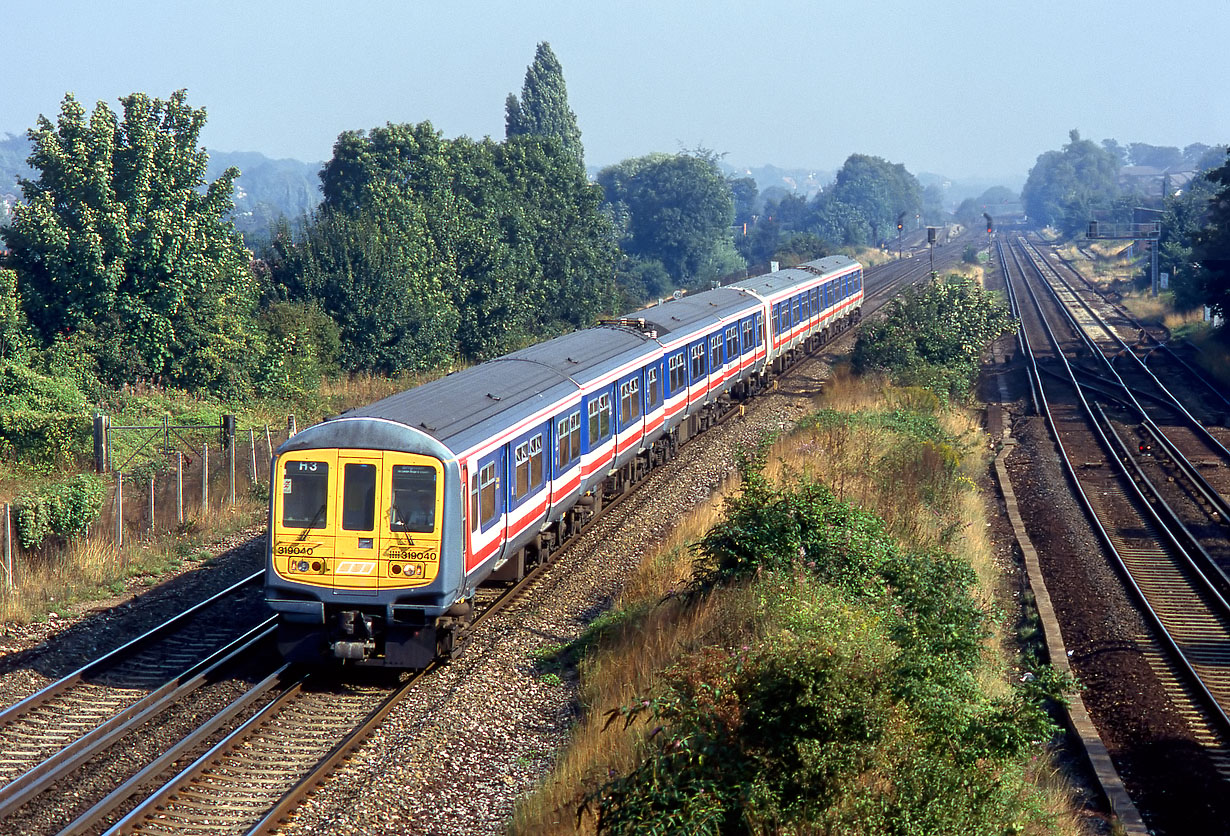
(125, 265)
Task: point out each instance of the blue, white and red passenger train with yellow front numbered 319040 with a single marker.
(387, 519)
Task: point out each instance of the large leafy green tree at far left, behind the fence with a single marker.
(124, 244)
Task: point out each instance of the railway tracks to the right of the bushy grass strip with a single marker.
(1157, 534)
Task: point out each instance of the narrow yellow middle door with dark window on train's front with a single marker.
(357, 556)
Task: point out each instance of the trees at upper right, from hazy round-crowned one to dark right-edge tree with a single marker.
(1081, 183)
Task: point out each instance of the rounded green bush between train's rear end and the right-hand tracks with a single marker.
(933, 336)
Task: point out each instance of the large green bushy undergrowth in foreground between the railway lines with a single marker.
(858, 712)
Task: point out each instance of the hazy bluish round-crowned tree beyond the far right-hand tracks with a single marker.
(1066, 187)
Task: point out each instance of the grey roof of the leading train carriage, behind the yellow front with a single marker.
(469, 406)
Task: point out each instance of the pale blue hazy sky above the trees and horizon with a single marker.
(951, 88)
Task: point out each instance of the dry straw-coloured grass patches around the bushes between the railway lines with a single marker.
(659, 629)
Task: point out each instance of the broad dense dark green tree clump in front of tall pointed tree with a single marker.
(426, 249)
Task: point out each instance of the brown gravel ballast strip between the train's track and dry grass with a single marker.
(458, 753)
